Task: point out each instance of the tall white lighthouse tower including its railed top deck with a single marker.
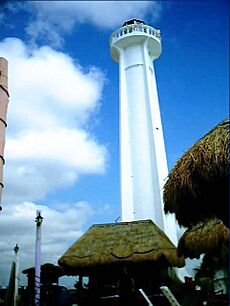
(143, 163)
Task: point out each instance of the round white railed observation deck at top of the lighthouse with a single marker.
(135, 33)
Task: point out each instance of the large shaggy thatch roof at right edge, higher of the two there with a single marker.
(197, 186)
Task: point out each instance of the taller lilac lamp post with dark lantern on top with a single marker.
(38, 221)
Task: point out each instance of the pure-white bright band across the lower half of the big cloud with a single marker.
(72, 148)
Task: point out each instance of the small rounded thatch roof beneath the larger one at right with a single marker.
(204, 237)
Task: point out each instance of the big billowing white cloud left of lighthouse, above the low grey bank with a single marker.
(51, 100)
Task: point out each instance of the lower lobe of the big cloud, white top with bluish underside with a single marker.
(42, 161)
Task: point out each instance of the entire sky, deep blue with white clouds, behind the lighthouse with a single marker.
(62, 137)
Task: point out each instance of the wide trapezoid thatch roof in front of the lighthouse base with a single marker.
(109, 244)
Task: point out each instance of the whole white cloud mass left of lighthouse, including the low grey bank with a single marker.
(48, 147)
